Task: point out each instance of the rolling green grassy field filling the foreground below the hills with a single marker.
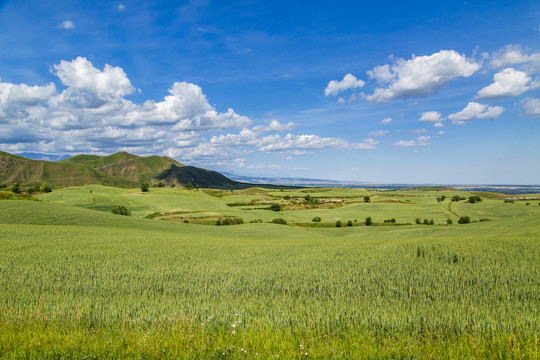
(78, 283)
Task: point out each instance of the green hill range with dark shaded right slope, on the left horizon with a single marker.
(120, 169)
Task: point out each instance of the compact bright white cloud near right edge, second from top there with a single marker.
(506, 83)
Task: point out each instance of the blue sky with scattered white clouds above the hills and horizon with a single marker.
(393, 92)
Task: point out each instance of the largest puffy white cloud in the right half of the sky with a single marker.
(420, 76)
